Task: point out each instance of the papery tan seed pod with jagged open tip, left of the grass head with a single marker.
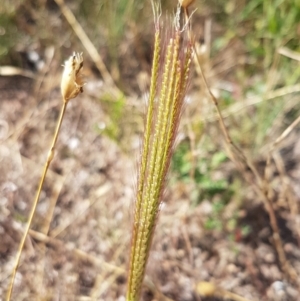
(71, 82)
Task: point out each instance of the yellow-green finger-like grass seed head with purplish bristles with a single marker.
(170, 70)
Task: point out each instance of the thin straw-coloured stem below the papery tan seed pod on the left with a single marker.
(35, 202)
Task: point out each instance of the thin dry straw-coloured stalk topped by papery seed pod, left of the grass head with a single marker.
(71, 86)
